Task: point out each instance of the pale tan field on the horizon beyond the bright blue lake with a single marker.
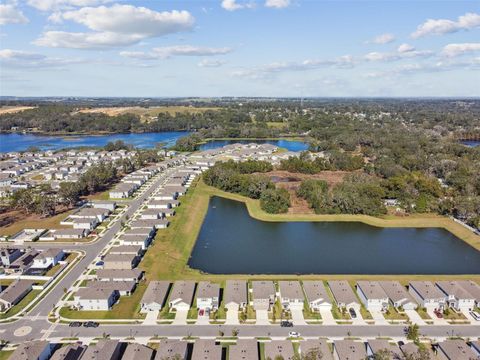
(146, 113)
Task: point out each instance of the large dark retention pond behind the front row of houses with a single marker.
(231, 242)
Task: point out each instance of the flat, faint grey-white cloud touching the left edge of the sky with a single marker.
(25, 59)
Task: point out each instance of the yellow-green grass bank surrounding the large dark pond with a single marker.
(168, 256)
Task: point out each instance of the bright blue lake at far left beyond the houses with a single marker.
(21, 142)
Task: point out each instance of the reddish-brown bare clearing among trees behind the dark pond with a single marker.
(299, 205)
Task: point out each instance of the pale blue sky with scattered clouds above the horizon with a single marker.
(239, 48)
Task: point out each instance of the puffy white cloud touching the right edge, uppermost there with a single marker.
(445, 26)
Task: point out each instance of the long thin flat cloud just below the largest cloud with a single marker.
(177, 50)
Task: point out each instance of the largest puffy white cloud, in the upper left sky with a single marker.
(118, 25)
